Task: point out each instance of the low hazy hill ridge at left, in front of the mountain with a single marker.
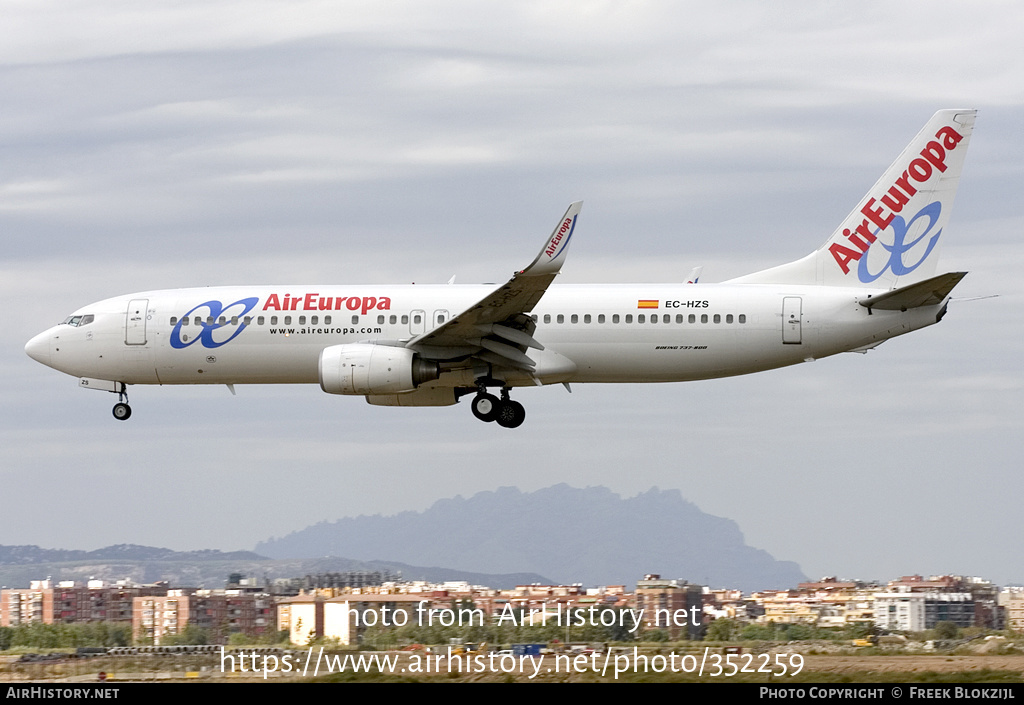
(21, 565)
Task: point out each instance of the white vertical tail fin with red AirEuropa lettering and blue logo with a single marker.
(892, 237)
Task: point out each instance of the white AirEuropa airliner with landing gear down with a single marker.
(429, 346)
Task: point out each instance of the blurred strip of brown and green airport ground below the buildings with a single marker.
(856, 667)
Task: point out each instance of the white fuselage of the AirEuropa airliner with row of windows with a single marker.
(610, 334)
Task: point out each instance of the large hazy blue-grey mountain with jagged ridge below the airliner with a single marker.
(588, 535)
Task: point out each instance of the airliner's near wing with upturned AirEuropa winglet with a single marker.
(498, 328)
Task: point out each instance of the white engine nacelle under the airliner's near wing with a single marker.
(369, 369)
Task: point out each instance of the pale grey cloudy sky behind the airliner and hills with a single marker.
(167, 145)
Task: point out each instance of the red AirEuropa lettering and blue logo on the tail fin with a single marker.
(881, 216)
